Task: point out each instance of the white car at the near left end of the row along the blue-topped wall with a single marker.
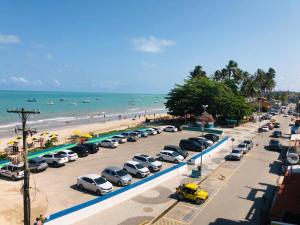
(95, 183)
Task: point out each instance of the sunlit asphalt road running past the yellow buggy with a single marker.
(241, 196)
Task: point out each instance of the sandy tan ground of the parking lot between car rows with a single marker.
(55, 189)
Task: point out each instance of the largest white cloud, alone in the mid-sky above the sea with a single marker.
(151, 44)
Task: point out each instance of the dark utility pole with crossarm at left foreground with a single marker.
(24, 114)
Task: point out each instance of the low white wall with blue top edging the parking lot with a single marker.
(87, 209)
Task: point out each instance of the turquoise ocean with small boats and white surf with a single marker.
(58, 108)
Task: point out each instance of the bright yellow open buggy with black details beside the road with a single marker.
(191, 192)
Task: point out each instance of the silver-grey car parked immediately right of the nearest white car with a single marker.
(117, 175)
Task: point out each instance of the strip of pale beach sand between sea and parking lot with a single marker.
(65, 132)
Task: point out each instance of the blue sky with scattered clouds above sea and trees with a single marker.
(143, 46)
